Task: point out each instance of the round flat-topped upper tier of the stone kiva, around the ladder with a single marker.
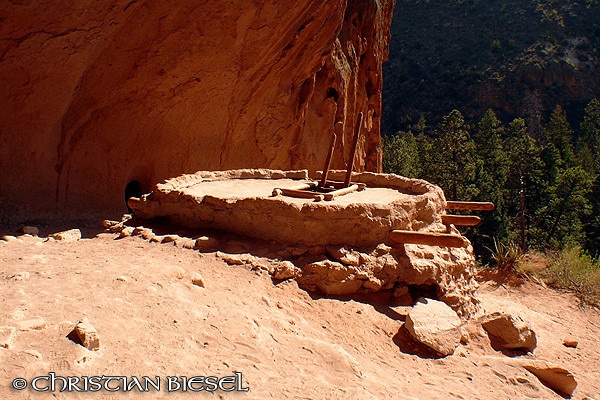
(242, 202)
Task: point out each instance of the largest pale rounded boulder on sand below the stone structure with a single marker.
(434, 324)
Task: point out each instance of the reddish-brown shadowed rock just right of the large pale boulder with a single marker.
(509, 332)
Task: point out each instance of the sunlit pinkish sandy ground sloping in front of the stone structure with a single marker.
(286, 343)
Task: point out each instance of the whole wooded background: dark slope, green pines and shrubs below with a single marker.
(497, 101)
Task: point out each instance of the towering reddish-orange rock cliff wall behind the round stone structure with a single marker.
(96, 94)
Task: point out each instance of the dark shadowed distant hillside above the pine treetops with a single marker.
(520, 58)
